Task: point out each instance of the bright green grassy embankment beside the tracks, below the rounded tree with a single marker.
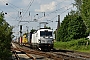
(82, 45)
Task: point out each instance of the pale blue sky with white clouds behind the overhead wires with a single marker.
(29, 13)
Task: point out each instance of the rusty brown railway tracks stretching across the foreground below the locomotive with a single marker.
(53, 55)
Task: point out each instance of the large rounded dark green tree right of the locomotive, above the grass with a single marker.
(72, 27)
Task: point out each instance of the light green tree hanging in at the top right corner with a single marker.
(83, 6)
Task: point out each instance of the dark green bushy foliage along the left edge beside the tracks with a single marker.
(5, 38)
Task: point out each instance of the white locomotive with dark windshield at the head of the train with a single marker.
(41, 39)
